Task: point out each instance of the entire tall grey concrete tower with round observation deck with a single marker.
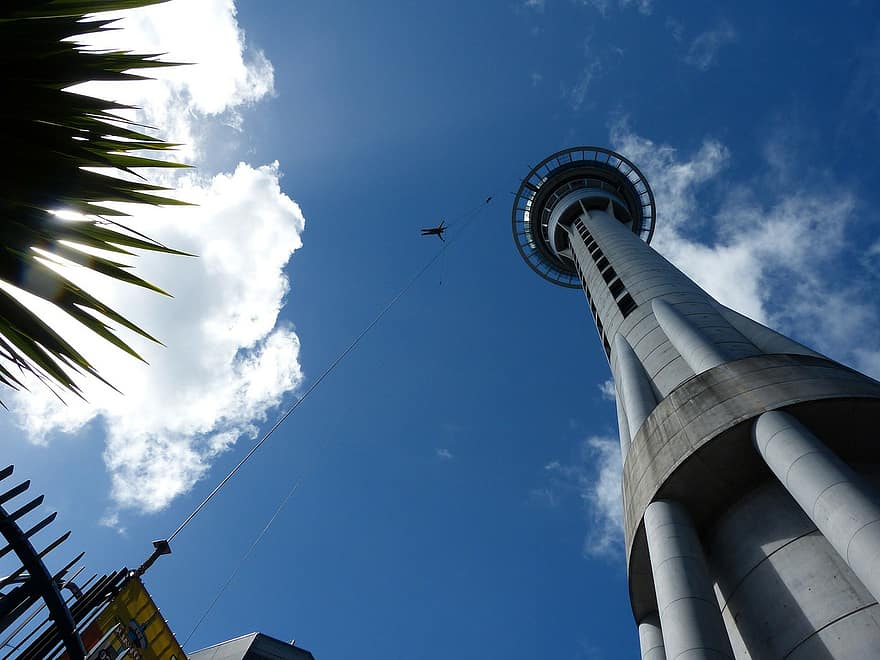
(751, 514)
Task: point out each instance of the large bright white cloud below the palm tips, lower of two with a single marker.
(226, 361)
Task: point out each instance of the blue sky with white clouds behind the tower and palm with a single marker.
(458, 472)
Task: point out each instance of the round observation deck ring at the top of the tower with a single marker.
(561, 188)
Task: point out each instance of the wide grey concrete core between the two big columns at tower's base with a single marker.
(779, 582)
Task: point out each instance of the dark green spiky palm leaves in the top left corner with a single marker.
(52, 135)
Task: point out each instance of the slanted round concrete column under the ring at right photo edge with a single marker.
(844, 508)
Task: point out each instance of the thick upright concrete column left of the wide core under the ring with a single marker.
(689, 614)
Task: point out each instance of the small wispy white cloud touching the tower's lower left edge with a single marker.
(594, 476)
